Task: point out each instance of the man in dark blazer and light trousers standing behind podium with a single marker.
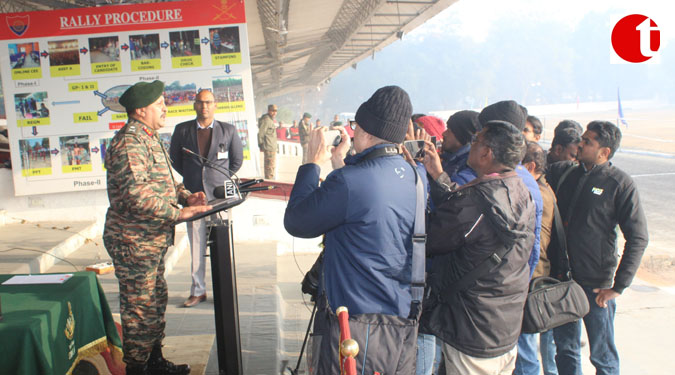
(218, 142)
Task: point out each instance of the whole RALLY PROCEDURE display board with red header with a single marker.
(63, 72)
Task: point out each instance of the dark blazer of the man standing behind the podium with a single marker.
(225, 150)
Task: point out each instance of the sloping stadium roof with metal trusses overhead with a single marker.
(298, 45)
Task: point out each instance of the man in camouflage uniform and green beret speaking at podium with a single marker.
(144, 207)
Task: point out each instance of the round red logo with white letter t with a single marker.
(636, 38)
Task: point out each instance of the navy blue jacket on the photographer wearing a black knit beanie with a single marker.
(367, 211)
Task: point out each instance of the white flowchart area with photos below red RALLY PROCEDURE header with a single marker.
(65, 93)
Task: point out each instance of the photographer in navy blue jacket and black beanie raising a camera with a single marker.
(366, 209)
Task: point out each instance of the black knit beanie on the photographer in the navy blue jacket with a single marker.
(386, 114)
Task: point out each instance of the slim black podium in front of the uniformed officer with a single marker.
(224, 280)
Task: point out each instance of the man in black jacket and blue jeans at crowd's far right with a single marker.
(593, 198)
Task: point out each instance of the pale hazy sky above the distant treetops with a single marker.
(473, 18)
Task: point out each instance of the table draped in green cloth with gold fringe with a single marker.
(49, 328)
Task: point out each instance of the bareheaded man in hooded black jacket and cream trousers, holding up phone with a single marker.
(480, 238)
